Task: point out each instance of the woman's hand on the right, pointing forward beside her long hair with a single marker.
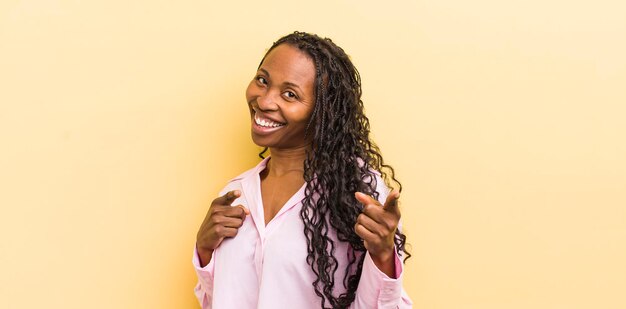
(377, 226)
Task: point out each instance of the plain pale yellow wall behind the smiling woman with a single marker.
(121, 120)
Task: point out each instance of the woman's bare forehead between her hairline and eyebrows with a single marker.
(286, 63)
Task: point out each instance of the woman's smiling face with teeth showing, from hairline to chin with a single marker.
(281, 98)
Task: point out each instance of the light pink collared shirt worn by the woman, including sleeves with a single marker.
(265, 266)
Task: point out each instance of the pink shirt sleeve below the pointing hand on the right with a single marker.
(377, 290)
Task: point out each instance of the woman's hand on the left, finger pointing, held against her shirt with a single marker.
(221, 221)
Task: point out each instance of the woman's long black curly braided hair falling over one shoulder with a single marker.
(341, 161)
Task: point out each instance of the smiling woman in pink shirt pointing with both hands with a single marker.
(313, 225)
